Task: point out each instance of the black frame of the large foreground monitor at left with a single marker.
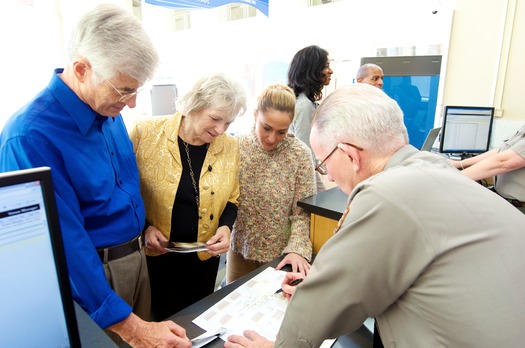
(43, 175)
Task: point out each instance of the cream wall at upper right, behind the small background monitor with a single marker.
(486, 61)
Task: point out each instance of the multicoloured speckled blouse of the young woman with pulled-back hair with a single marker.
(269, 222)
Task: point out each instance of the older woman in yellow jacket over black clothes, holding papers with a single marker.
(189, 170)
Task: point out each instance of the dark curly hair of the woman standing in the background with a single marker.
(304, 74)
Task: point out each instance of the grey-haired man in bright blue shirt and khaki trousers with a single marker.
(74, 126)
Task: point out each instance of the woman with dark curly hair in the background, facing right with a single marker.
(309, 72)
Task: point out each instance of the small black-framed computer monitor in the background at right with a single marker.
(466, 129)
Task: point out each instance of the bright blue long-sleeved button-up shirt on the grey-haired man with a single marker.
(96, 183)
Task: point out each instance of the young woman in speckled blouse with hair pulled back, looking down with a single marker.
(276, 171)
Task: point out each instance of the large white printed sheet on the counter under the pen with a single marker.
(252, 306)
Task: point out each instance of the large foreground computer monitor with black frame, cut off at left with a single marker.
(37, 305)
